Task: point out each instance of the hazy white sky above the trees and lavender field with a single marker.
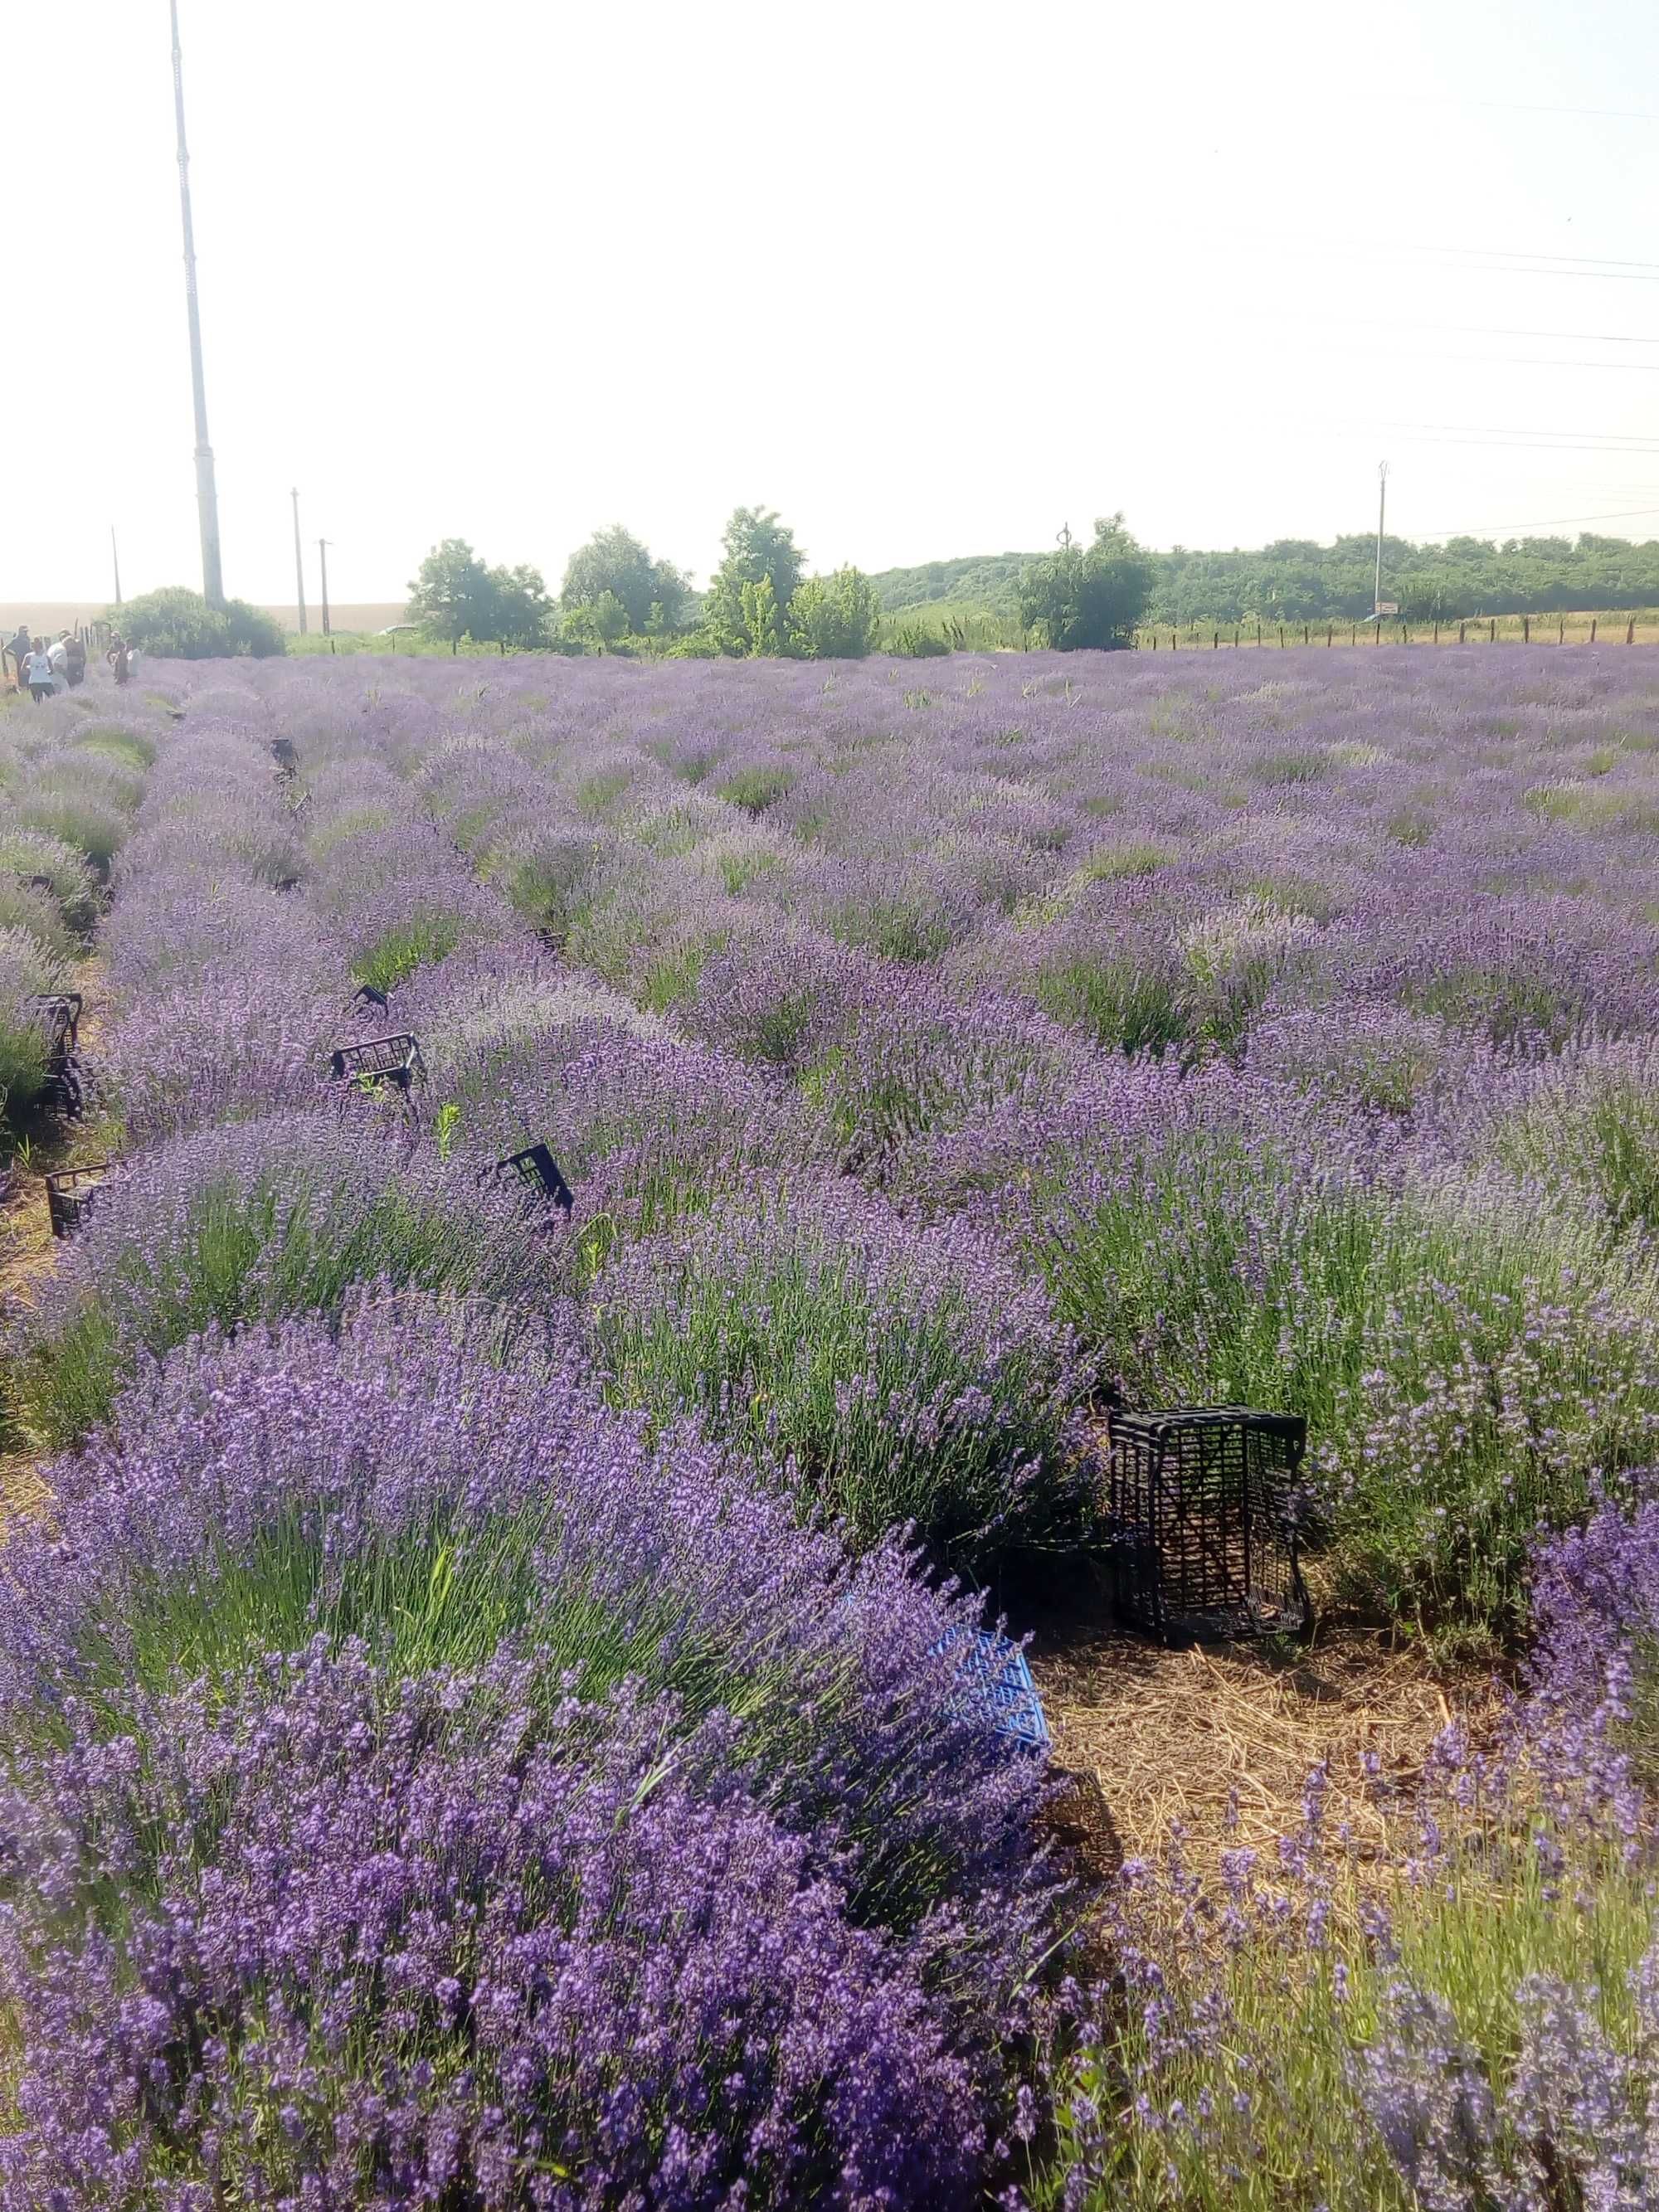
(932, 278)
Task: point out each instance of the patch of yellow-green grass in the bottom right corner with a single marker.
(1269, 2114)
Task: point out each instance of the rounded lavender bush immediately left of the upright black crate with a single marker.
(906, 1377)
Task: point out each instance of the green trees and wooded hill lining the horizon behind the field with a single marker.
(1085, 594)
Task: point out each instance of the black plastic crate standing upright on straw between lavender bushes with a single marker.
(1207, 1521)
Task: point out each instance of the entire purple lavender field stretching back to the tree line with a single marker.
(483, 1684)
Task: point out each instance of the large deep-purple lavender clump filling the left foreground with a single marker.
(565, 1793)
